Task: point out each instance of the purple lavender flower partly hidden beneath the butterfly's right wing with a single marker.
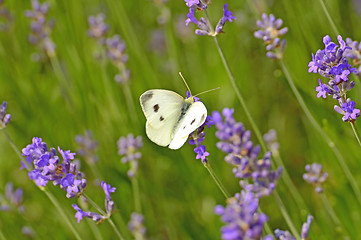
(197, 138)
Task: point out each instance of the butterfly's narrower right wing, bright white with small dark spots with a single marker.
(193, 118)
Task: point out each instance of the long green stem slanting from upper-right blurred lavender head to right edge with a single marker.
(330, 143)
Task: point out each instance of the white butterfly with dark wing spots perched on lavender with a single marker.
(170, 117)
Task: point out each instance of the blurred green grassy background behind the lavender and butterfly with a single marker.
(178, 195)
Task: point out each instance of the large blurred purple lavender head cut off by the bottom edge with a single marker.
(241, 219)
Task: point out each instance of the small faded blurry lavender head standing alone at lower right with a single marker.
(315, 176)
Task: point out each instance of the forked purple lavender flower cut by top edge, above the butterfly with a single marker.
(204, 27)
